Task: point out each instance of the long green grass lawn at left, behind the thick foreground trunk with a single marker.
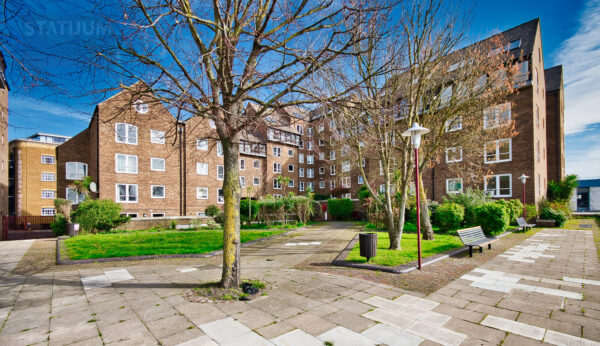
(140, 244)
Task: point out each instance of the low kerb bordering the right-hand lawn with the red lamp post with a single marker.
(340, 260)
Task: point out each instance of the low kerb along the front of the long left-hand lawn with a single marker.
(60, 261)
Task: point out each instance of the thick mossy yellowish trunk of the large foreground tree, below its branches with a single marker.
(231, 226)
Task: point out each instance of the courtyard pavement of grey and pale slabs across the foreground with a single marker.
(544, 290)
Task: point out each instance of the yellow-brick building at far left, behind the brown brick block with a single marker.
(32, 174)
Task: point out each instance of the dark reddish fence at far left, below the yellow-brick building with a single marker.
(26, 227)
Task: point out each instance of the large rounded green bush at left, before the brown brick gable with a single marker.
(98, 215)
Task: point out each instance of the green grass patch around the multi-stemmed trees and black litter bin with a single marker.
(408, 253)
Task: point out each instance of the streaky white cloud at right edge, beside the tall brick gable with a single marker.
(580, 56)
